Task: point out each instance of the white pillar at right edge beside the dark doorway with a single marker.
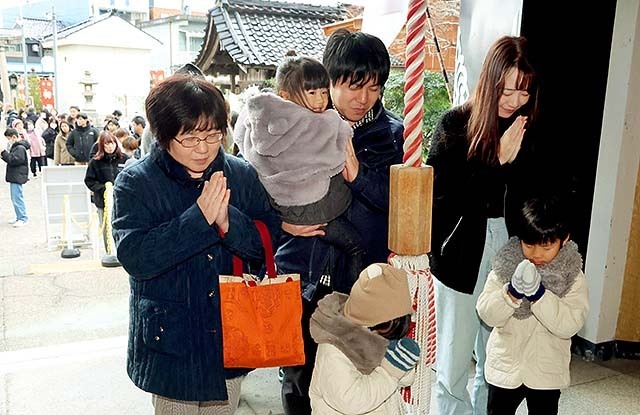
(616, 177)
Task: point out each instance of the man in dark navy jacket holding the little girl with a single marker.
(358, 66)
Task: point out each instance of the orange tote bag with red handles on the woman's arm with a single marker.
(261, 319)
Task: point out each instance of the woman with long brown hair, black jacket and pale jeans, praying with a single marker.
(472, 149)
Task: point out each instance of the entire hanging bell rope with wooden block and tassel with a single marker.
(410, 212)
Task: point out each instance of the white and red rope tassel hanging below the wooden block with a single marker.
(418, 398)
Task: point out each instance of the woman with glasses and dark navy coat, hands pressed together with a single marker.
(180, 214)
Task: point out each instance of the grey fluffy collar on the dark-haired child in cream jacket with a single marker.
(557, 276)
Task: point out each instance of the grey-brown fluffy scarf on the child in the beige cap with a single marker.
(363, 347)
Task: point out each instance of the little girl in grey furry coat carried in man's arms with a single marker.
(297, 146)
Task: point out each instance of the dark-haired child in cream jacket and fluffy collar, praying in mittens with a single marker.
(536, 299)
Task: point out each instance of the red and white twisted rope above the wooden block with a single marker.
(414, 87)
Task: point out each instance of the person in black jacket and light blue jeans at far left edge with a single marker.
(17, 171)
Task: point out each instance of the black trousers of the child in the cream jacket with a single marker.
(506, 401)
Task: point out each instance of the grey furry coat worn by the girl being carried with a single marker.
(294, 150)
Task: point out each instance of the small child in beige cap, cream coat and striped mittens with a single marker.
(363, 355)
